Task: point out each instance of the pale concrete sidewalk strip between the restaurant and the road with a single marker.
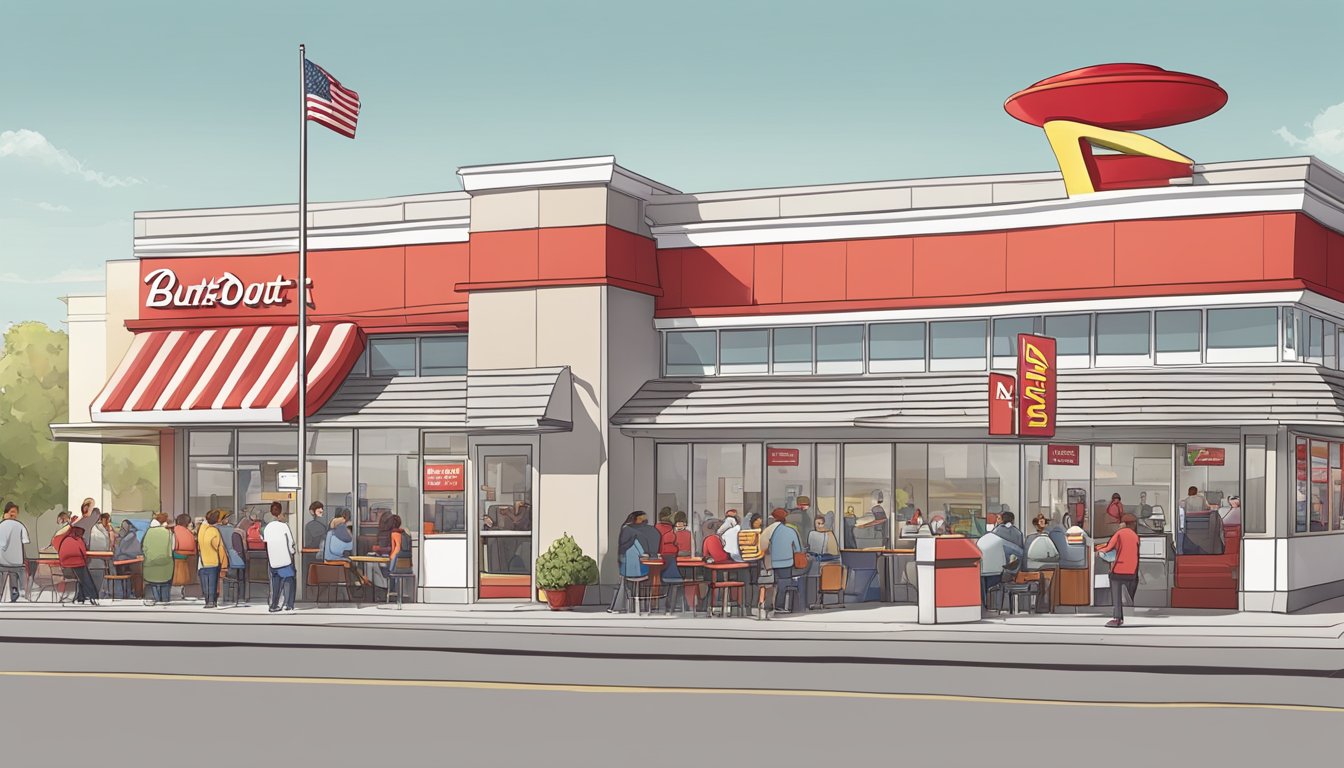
(1322, 627)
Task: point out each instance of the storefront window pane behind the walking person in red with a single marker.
(1142, 477)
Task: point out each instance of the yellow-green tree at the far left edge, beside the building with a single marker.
(34, 375)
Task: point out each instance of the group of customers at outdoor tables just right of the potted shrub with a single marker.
(775, 552)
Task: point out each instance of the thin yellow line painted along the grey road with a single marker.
(596, 689)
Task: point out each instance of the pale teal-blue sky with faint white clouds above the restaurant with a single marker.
(115, 108)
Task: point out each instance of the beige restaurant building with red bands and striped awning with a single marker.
(565, 342)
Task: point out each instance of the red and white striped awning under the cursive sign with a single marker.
(226, 376)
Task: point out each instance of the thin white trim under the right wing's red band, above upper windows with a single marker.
(1075, 307)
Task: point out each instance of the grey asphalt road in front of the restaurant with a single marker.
(489, 697)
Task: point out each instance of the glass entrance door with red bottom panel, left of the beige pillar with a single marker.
(505, 509)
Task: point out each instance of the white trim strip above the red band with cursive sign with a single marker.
(319, 239)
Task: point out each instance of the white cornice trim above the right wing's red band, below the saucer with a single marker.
(1123, 205)
